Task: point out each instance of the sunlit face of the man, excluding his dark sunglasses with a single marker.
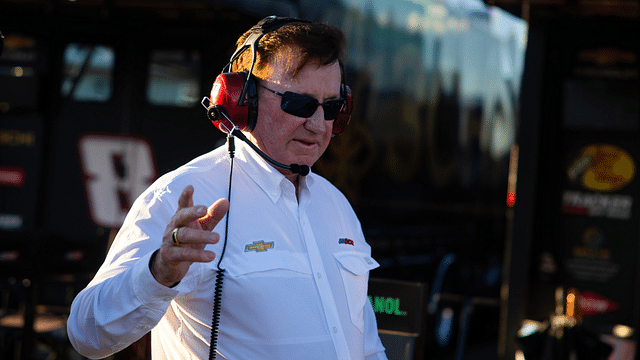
(287, 138)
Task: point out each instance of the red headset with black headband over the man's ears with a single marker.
(234, 95)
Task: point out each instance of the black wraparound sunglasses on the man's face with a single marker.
(305, 106)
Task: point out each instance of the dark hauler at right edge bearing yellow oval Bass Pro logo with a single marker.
(573, 259)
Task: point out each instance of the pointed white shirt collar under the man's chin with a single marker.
(265, 175)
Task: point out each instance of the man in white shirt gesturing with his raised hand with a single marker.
(294, 257)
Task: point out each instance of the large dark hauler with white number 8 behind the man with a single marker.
(98, 98)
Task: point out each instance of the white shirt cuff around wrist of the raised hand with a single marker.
(147, 289)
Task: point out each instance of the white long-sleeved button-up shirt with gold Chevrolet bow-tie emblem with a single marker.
(296, 272)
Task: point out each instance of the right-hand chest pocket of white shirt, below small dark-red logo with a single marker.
(354, 268)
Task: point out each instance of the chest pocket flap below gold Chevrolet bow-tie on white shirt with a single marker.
(272, 263)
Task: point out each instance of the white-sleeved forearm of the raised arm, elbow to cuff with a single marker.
(118, 310)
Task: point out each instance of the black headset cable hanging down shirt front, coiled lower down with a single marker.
(217, 298)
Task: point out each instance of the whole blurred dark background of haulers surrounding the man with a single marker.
(491, 158)
